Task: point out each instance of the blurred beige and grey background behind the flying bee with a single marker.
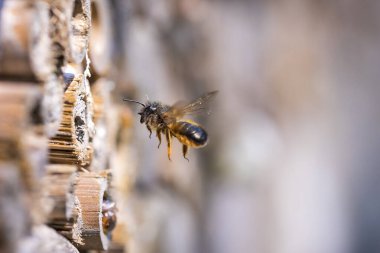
(292, 164)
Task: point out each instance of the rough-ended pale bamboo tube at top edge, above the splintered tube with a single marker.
(71, 20)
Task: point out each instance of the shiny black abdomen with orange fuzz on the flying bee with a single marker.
(189, 133)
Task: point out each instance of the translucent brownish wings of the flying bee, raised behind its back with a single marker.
(180, 109)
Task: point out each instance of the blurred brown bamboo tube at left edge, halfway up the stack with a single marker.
(21, 138)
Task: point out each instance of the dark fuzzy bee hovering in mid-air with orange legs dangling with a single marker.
(168, 120)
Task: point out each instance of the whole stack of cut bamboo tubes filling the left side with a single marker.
(58, 127)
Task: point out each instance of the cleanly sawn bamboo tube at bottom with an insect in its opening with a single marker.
(94, 213)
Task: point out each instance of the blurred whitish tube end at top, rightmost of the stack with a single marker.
(101, 37)
